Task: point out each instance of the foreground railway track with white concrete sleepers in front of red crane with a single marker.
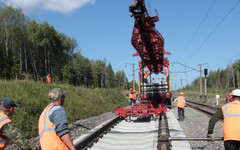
(121, 135)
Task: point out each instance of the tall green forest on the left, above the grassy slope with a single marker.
(33, 50)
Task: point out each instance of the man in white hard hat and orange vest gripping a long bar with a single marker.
(230, 113)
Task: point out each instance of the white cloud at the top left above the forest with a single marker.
(62, 6)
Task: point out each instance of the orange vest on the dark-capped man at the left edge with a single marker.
(3, 120)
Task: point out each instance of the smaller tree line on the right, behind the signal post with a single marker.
(228, 78)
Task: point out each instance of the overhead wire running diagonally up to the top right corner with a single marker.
(214, 29)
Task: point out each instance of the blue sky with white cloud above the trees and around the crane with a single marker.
(195, 31)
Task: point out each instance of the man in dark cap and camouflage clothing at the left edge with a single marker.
(8, 131)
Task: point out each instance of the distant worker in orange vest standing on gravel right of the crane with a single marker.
(180, 105)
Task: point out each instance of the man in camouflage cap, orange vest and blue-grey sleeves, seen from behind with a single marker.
(53, 126)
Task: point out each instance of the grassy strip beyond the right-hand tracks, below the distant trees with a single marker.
(194, 95)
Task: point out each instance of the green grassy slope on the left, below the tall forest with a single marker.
(32, 97)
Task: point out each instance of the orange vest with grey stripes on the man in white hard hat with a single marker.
(231, 114)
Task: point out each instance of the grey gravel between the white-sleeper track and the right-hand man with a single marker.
(195, 124)
